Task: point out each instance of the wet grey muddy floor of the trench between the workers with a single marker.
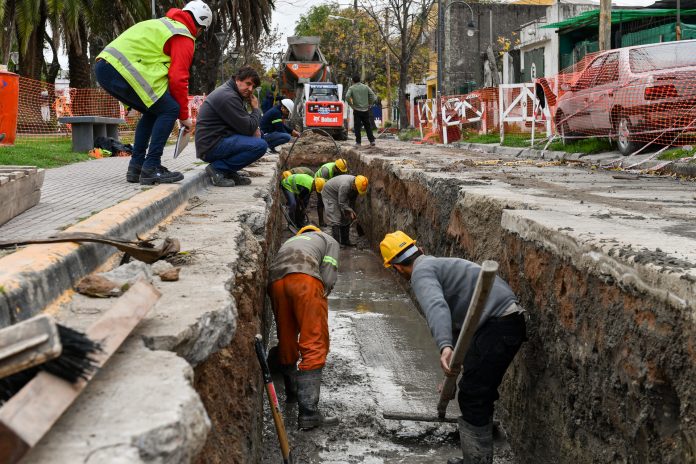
(381, 358)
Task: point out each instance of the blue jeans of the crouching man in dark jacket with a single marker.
(236, 152)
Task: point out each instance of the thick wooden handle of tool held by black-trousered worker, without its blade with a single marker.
(484, 283)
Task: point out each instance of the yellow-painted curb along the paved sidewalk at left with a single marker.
(33, 277)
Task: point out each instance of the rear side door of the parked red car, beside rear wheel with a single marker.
(601, 101)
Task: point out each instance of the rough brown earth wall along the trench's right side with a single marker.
(608, 372)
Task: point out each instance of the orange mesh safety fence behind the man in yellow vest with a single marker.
(42, 104)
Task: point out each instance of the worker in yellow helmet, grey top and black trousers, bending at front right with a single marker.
(444, 288)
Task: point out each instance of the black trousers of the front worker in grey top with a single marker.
(492, 350)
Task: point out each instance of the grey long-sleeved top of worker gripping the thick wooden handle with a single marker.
(444, 288)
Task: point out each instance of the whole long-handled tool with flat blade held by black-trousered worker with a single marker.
(484, 283)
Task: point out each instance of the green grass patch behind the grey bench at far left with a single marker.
(40, 153)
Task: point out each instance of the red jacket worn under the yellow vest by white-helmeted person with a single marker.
(180, 49)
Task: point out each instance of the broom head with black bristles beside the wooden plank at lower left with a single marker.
(40, 344)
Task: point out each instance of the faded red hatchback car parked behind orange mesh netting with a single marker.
(635, 95)
